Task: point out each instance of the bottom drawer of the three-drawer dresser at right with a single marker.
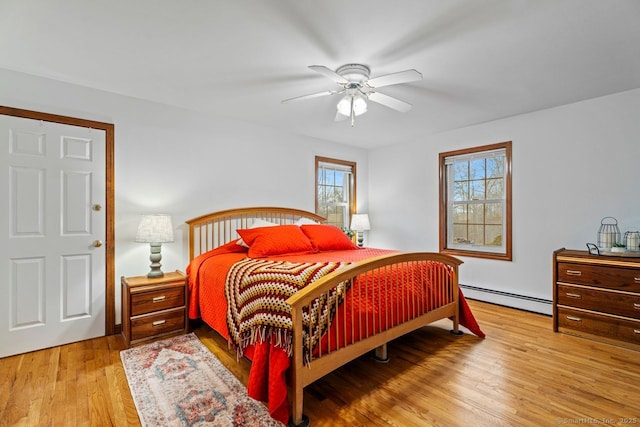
(582, 322)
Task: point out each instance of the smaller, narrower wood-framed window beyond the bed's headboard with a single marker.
(335, 190)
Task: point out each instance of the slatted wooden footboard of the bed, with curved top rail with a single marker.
(404, 292)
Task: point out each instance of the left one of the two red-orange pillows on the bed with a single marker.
(282, 239)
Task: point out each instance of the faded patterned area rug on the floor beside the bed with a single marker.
(179, 382)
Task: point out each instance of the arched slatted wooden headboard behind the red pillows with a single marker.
(209, 231)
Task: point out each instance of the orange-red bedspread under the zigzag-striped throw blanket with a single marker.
(267, 378)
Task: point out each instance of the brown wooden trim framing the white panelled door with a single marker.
(110, 296)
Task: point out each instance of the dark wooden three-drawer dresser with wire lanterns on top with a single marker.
(597, 296)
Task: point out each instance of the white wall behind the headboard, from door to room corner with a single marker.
(183, 163)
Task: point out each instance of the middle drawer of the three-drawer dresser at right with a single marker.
(627, 305)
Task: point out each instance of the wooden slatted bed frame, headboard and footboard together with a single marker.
(379, 298)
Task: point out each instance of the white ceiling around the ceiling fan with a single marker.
(481, 60)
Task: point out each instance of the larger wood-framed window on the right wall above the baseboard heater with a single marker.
(475, 201)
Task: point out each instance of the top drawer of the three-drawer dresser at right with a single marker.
(622, 279)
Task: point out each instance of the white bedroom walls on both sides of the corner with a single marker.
(572, 165)
